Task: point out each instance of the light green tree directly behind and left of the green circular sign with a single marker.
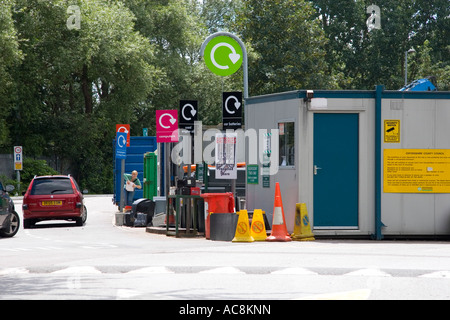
(177, 29)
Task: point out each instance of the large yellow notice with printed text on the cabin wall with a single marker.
(417, 170)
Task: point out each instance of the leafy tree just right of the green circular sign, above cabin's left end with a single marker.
(289, 43)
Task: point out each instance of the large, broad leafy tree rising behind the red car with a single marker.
(74, 85)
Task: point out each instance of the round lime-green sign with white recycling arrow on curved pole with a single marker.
(223, 55)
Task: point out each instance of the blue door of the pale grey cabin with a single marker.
(336, 170)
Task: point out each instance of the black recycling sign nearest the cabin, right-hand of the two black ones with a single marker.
(232, 110)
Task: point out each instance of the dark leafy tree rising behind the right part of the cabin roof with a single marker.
(364, 58)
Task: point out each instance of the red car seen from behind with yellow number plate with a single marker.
(53, 198)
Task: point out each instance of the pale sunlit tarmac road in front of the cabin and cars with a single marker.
(57, 260)
